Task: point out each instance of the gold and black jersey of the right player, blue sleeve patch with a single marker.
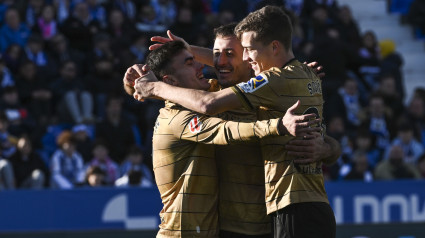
(278, 89)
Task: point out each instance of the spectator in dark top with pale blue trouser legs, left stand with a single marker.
(73, 101)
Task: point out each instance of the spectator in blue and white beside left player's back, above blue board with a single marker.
(134, 172)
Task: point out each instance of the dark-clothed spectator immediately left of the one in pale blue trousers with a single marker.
(34, 92)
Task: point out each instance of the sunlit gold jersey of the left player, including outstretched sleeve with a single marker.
(185, 168)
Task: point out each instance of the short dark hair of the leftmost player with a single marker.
(159, 60)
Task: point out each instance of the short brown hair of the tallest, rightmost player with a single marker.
(270, 23)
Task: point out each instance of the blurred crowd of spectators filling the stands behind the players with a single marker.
(66, 122)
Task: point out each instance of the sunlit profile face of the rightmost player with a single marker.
(257, 54)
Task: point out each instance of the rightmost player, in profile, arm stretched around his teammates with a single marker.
(295, 194)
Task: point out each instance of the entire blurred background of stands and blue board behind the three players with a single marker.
(76, 150)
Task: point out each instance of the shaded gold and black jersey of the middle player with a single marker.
(241, 184)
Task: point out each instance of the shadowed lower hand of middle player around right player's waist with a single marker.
(310, 150)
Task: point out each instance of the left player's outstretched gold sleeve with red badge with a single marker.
(212, 130)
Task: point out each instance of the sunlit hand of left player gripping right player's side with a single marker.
(298, 126)
